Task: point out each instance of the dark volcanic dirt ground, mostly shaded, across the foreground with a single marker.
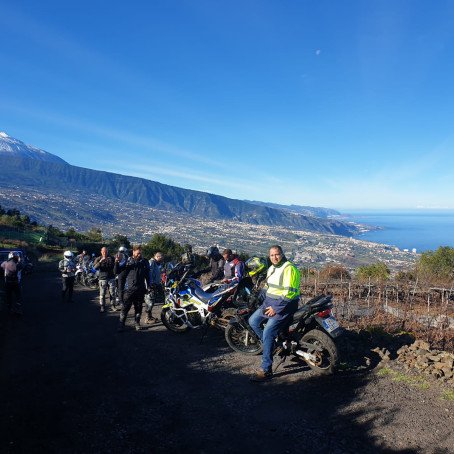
(71, 384)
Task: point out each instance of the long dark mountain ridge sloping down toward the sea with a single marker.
(59, 176)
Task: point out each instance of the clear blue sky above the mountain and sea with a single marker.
(325, 103)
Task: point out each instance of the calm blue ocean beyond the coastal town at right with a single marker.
(422, 230)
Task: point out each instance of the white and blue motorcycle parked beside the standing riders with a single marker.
(188, 306)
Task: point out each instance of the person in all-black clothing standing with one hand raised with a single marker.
(137, 281)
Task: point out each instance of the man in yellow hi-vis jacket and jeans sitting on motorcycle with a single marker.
(280, 303)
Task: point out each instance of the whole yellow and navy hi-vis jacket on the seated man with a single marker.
(282, 288)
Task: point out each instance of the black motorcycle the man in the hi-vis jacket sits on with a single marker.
(310, 335)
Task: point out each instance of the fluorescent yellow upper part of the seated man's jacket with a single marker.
(283, 281)
